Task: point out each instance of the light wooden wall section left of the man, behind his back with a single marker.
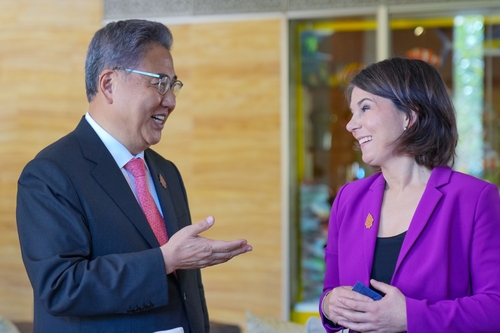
(42, 97)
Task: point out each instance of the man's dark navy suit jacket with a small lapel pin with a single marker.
(90, 254)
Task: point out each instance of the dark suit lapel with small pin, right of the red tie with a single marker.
(164, 197)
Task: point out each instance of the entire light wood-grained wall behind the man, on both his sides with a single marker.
(224, 136)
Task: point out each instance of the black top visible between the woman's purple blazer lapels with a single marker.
(386, 255)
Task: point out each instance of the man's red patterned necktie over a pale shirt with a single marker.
(136, 167)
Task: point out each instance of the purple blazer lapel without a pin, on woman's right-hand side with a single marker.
(430, 199)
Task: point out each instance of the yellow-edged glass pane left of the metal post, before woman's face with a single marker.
(325, 56)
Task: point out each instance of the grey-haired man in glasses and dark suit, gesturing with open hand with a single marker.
(95, 259)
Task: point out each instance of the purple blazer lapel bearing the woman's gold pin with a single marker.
(371, 214)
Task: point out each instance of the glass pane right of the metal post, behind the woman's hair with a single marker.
(465, 49)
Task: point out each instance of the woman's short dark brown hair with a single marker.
(414, 85)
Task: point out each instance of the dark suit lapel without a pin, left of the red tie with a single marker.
(110, 177)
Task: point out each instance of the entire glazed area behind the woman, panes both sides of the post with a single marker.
(324, 55)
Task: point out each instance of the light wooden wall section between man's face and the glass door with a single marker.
(225, 137)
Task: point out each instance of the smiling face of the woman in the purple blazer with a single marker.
(376, 124)
